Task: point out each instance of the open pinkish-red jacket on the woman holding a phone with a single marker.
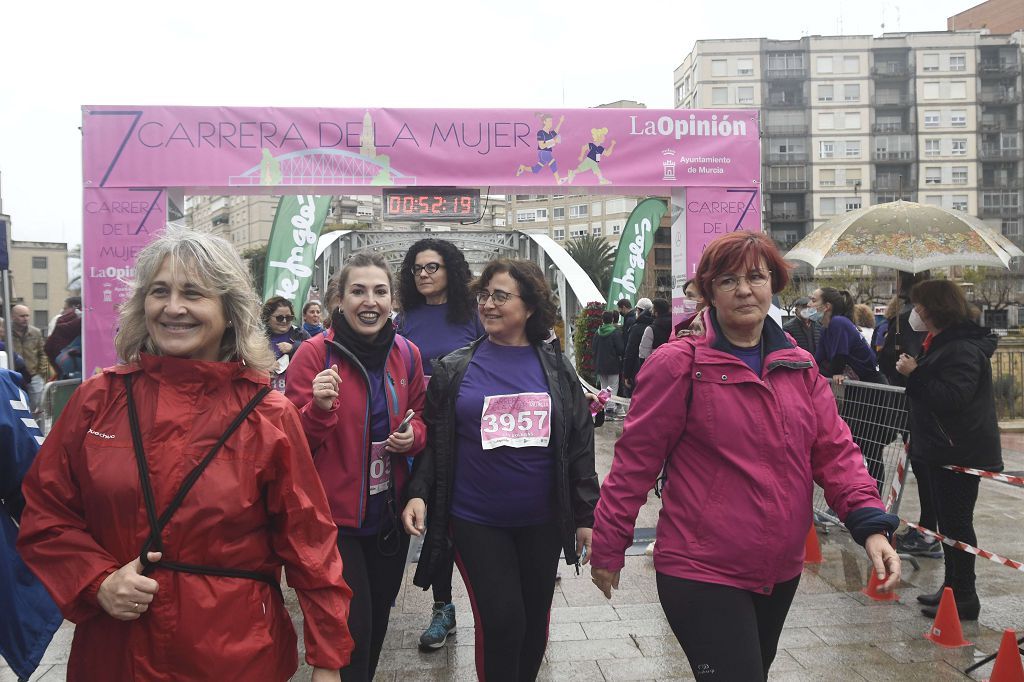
(339, 439)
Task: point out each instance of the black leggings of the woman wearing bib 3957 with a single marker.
(510, 576)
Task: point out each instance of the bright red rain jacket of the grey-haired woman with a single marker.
(259, 506)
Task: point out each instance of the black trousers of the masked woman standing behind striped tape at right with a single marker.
(954, 497)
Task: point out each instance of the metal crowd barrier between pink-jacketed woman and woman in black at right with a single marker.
(877, 415)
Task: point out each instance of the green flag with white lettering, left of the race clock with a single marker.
(292, 249)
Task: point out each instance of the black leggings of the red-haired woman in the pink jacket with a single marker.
(728, 634)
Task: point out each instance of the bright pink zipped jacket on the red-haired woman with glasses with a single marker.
(741, 452)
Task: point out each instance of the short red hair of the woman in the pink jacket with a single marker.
(737, 252)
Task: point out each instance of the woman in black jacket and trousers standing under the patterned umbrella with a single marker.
(953, 422)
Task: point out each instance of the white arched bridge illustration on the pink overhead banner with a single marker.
(324, 167)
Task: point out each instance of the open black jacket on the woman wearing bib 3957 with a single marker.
(573, 432)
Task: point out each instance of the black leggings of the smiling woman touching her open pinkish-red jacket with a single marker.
(375, 581)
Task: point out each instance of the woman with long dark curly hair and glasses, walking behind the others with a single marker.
(439, 315)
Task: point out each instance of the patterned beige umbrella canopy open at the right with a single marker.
(905, 236)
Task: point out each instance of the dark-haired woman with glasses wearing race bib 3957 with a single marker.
(508, 474)
